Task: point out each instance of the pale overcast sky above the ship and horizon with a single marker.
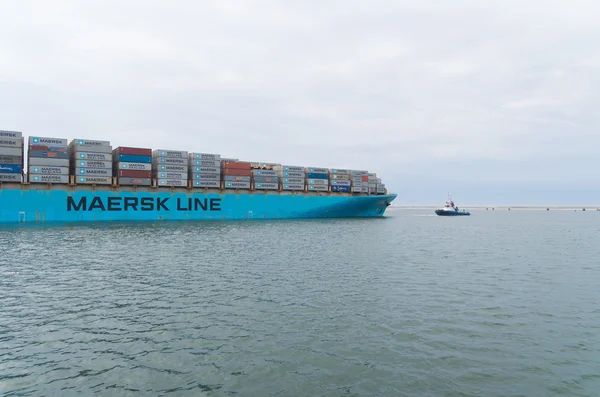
(498, 101)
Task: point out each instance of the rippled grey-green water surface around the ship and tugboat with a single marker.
(496, 304)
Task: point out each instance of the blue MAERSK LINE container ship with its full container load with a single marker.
(90, 181)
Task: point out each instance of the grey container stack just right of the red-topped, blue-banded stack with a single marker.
(170, 167)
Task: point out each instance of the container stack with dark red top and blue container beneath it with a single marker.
(132, 166)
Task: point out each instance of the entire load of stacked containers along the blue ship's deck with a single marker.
(52, 160)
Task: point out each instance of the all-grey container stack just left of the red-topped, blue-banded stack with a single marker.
(91, 162)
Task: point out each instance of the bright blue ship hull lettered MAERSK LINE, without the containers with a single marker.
(74, 204)
